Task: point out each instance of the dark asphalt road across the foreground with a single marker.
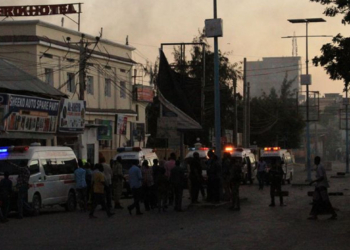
(256, 226)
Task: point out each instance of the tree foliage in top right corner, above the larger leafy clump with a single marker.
(336, 7)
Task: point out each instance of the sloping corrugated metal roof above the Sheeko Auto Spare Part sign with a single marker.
(15, 80)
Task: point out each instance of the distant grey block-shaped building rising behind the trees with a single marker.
(270, 73)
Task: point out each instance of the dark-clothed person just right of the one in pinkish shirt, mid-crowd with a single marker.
(177, 179)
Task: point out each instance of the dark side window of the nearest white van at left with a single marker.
(59, 166)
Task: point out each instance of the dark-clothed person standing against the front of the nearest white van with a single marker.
(23, 186)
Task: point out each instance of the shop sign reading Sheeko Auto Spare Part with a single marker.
(30, 114)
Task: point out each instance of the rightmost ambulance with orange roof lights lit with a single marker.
(273, 155)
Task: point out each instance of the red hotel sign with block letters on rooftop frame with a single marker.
(38, 10)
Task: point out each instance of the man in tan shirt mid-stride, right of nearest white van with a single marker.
(99, 192)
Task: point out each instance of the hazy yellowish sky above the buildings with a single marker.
(252, 28)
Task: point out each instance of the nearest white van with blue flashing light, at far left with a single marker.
(51, 173)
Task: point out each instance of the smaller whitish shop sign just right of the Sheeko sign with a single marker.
(72, 115)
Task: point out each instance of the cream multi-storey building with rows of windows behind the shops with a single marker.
(53, 54)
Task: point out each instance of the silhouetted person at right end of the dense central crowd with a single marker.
(235, 178)
